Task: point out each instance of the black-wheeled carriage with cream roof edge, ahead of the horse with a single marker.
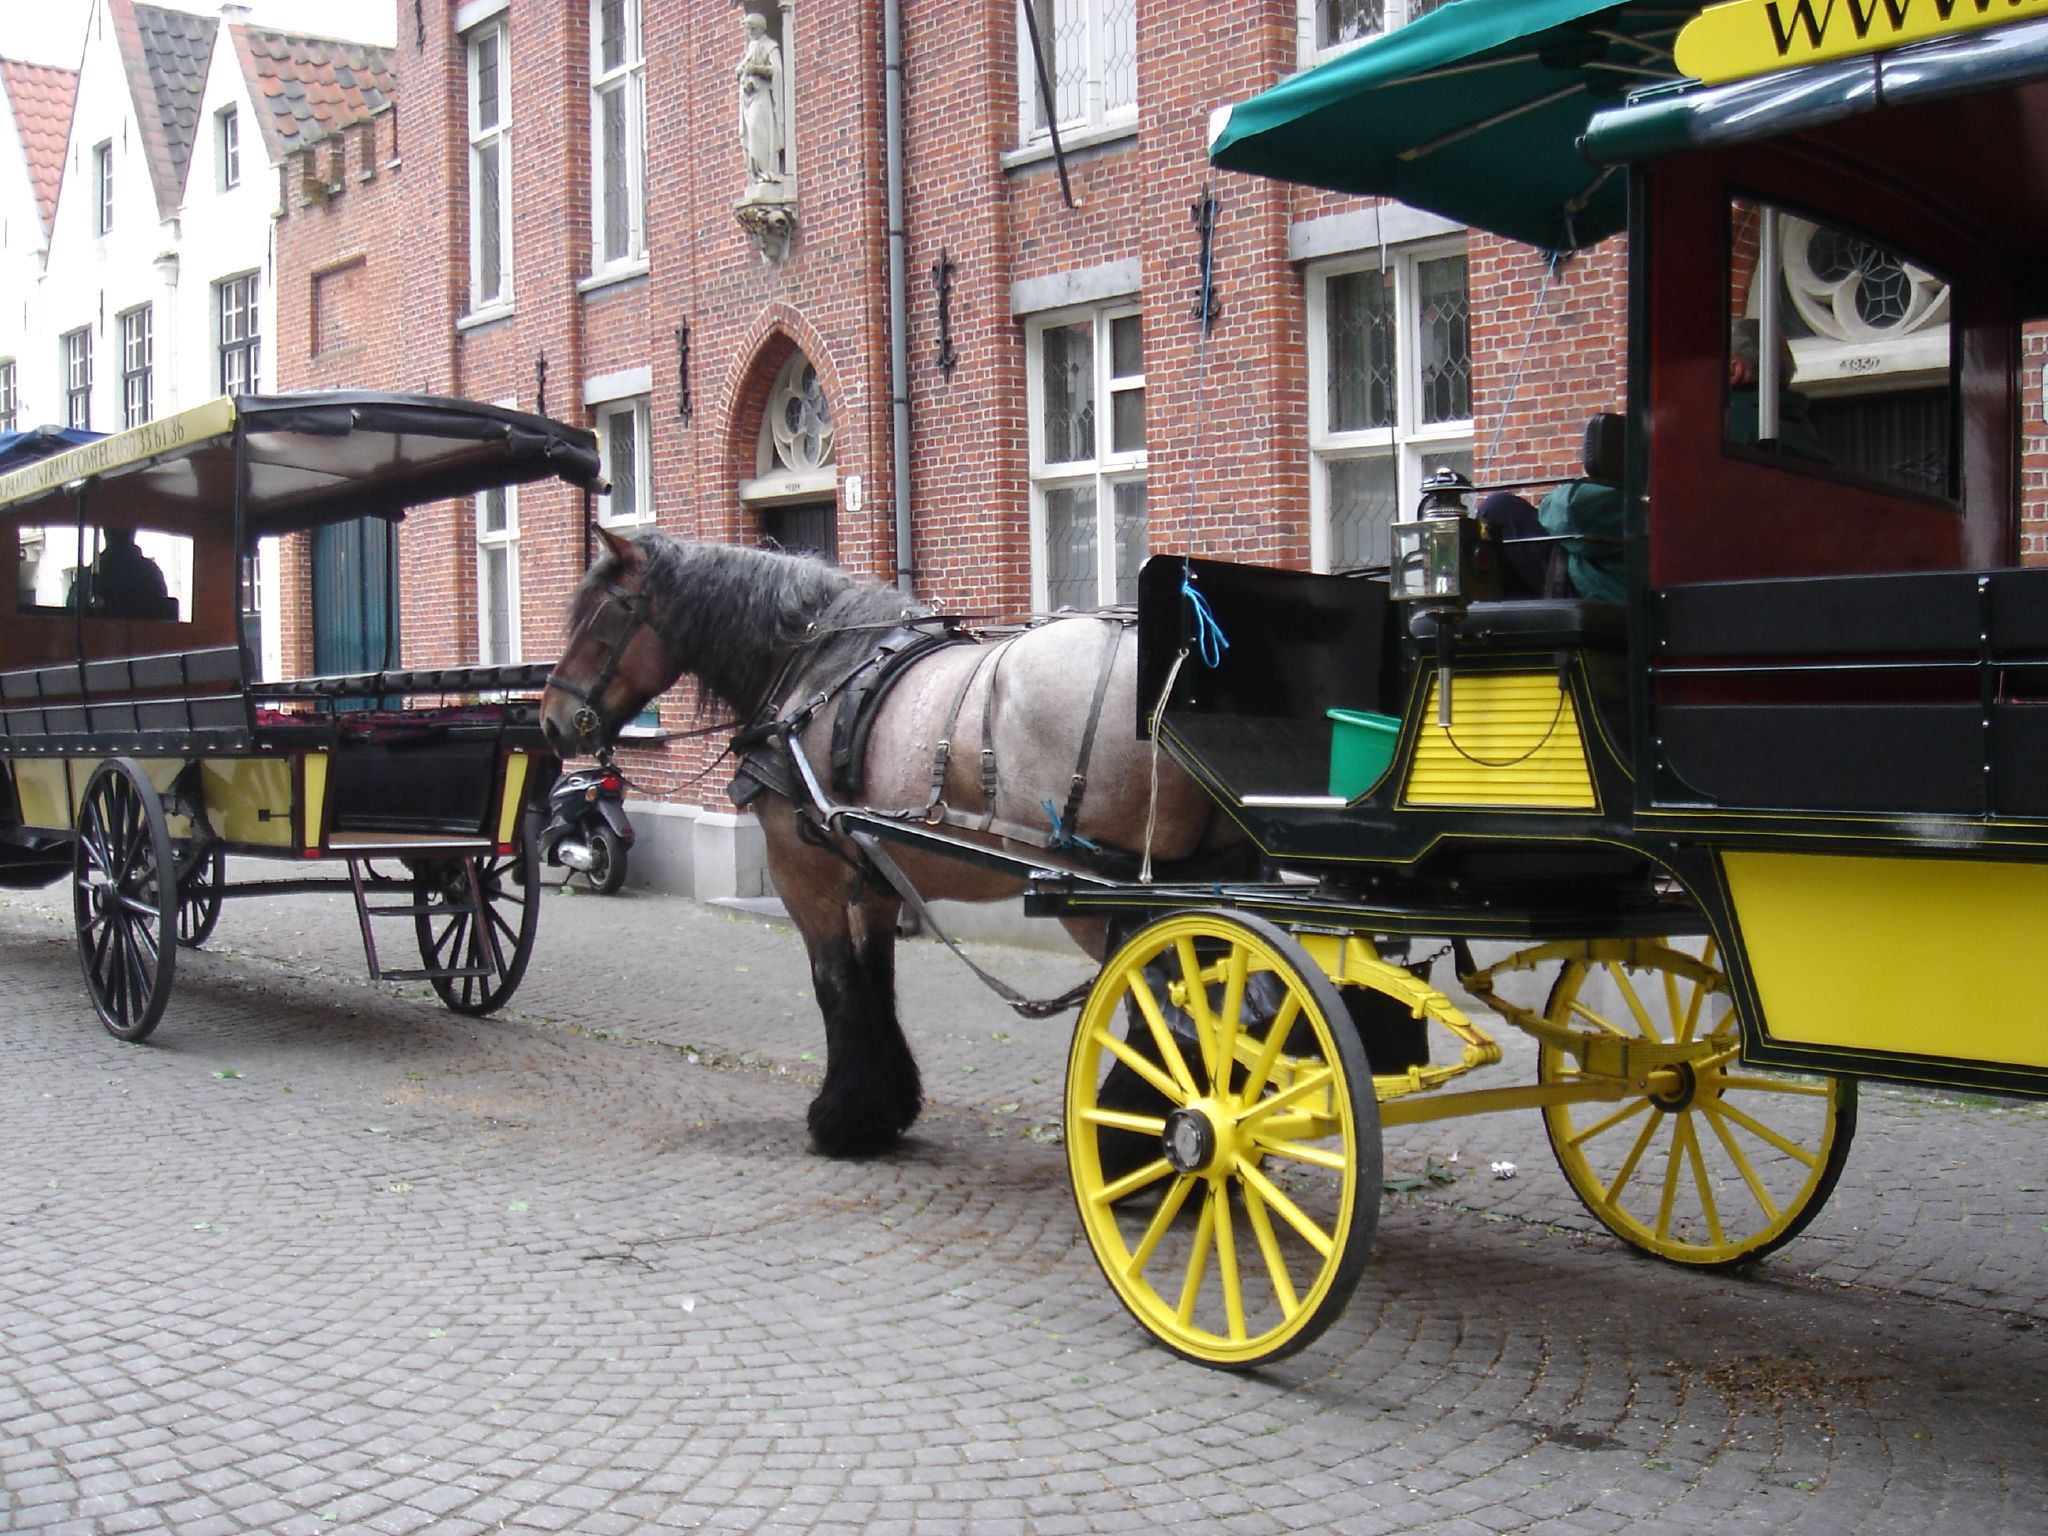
(142, 746)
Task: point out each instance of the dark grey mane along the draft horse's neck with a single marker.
(732, 615)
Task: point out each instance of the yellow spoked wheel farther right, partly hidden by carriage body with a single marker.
(1717, 1164)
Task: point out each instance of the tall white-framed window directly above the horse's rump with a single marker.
(1089, 458)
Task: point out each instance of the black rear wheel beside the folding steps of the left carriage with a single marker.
(486, 937)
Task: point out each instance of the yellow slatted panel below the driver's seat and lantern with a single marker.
(1514, 740)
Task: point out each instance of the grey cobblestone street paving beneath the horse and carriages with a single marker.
(331, 1258)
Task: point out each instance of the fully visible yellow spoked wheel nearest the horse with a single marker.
(1224, 1138)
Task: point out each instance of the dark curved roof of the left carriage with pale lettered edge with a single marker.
(312, 460)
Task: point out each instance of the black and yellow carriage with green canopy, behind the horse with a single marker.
(1752, 804)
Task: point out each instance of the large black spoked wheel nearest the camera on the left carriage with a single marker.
(124, 900)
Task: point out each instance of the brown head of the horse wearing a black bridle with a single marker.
(611, 660)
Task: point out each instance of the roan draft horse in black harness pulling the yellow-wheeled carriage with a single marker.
(1023, 742)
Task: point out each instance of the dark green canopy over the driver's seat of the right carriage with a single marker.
(1471, 112)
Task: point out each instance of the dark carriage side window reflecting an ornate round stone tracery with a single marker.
(1840, 353)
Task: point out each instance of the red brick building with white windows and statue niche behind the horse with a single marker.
(675, 224)
